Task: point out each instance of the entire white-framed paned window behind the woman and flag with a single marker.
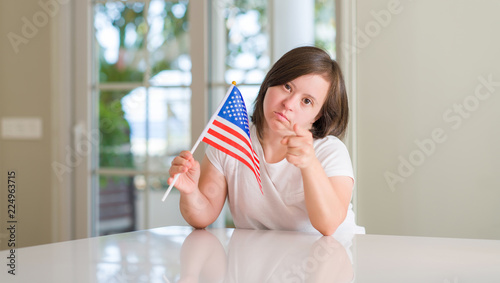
(142, 89)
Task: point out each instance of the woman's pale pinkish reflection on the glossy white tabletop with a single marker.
(264, 256)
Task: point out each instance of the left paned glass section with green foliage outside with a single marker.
(142, 80)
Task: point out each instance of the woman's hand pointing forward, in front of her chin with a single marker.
(300, 151)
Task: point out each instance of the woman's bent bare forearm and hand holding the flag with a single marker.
(203, 190)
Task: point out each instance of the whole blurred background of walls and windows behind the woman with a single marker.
(97, 98)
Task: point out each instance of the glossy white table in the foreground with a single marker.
(181, 254)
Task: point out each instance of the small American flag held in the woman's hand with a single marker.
(229, 132)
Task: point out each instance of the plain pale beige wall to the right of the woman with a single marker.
(420, 77)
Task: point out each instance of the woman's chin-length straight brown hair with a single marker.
(301, 61)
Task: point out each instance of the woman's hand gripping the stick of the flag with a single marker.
(189, 169)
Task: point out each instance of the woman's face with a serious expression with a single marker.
(296, 102)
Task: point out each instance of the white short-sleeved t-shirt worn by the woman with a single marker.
(282, 206)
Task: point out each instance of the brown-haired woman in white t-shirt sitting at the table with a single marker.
(300, 113)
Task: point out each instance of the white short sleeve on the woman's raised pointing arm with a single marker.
(334, 157)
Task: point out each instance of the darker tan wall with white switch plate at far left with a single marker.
(25, 91)
